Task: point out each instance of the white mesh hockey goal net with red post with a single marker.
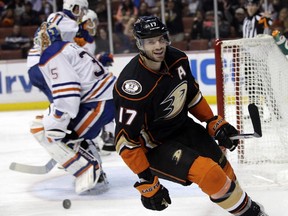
(255, 71)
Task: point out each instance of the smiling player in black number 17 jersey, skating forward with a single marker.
(155, 136)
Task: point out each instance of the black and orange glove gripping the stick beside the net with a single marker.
(220, 129)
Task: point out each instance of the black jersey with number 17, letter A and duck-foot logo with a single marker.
(151, 106)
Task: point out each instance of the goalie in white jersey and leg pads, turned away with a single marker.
(80, 92)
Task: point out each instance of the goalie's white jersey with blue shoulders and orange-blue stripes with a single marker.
(74, 76)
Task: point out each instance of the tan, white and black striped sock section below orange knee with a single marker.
(236, 201)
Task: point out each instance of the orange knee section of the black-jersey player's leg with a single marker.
(208, 175)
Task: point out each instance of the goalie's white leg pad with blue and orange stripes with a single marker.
(78, 157)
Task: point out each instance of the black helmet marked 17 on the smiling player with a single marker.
(149, 27)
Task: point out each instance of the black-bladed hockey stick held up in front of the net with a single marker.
(255, 118)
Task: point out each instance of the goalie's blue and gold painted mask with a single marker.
(45, 35)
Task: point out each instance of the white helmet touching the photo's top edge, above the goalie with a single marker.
(78, 8)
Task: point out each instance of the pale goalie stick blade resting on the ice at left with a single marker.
(33, 169)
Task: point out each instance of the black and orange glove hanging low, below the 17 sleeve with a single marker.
(154, 196)
